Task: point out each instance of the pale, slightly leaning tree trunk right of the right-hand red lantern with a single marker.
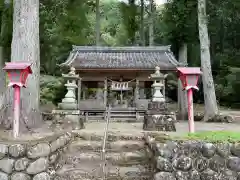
(211, 108)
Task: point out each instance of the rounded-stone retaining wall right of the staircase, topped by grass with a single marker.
(194, 160)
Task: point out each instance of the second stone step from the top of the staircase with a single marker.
(80, 145)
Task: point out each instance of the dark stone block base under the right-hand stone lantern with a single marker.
(158, 118)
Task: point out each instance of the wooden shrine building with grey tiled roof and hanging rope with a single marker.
(117, 76)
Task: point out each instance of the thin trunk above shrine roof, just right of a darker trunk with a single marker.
(151, 23)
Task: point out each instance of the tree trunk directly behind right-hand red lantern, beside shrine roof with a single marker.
(182, 95)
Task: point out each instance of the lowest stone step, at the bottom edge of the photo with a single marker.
(88, 171)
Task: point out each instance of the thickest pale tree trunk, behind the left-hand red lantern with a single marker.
(25, 47)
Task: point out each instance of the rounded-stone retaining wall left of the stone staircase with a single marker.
(35, 160)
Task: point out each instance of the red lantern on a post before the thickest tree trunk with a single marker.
(17, 73)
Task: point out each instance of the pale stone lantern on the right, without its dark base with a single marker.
(158, 85)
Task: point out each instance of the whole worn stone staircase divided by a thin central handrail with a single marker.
(127, 158)
